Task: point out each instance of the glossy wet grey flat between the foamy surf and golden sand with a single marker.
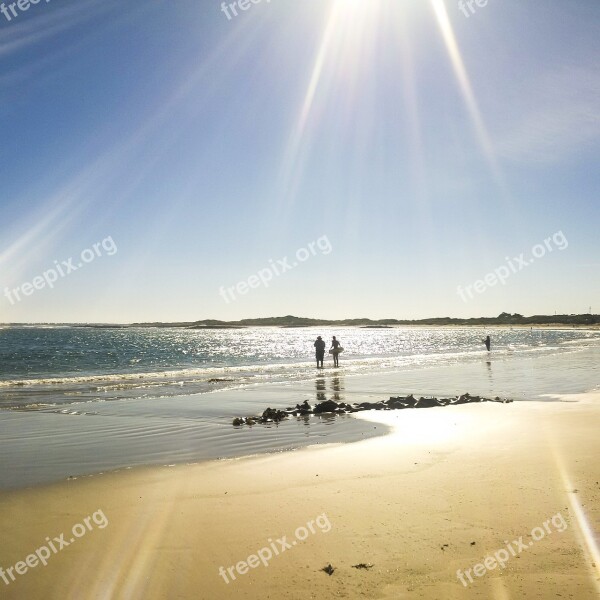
(82, 438)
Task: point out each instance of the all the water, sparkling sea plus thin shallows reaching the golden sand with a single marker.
(80, 401)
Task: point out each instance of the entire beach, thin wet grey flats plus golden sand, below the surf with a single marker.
(420, 505)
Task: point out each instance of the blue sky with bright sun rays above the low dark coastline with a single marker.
(176, 161)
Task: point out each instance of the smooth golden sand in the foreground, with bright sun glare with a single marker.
(441, 493)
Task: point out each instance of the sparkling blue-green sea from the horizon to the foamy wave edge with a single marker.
(60, 365)
